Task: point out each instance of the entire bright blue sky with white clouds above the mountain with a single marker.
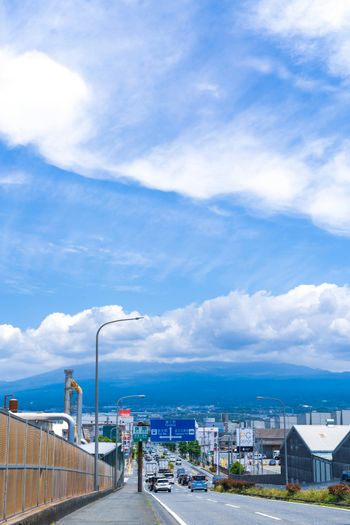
(187, 161)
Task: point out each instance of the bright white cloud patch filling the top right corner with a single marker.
(313, 28)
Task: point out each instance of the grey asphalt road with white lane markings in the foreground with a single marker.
(211, 508)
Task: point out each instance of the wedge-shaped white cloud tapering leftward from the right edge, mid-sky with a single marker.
(257, 164)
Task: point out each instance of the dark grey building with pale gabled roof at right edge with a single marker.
(317, 453)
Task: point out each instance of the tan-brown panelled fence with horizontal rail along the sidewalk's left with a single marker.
(37, 468)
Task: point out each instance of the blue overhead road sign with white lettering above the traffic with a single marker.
(171, 430)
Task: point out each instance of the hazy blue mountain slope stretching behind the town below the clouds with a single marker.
(224, 384)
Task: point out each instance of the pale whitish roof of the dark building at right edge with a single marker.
(322, 438)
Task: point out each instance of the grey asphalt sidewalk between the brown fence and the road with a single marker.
(126, 506)
